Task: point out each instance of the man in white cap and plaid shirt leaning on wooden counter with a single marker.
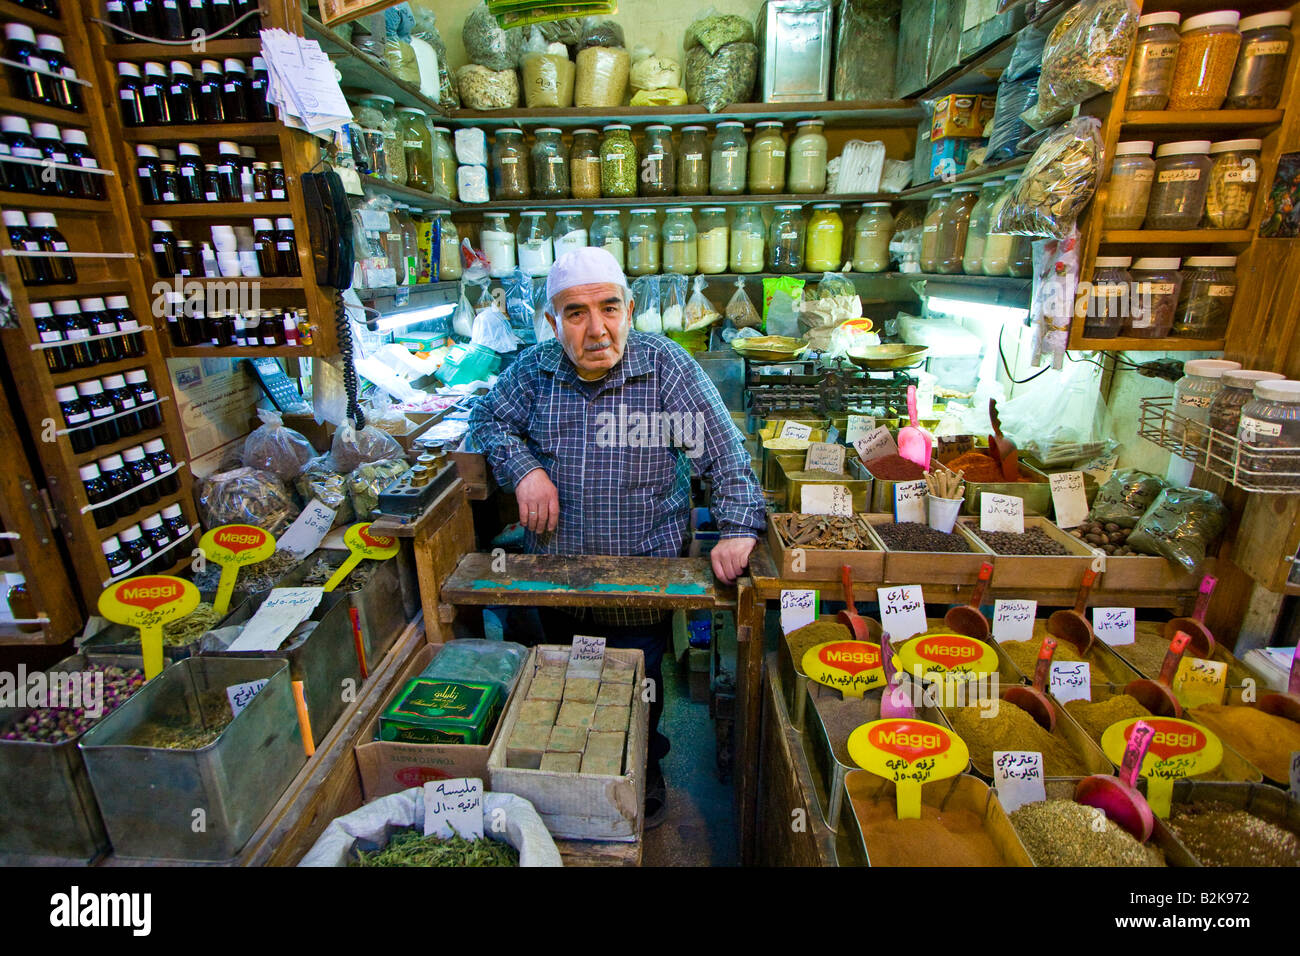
(596, 432)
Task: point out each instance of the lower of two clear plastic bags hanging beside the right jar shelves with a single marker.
(1058, 183)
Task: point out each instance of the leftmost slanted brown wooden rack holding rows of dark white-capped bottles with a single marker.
(107, 265)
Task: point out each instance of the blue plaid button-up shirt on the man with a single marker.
(619, 449)
